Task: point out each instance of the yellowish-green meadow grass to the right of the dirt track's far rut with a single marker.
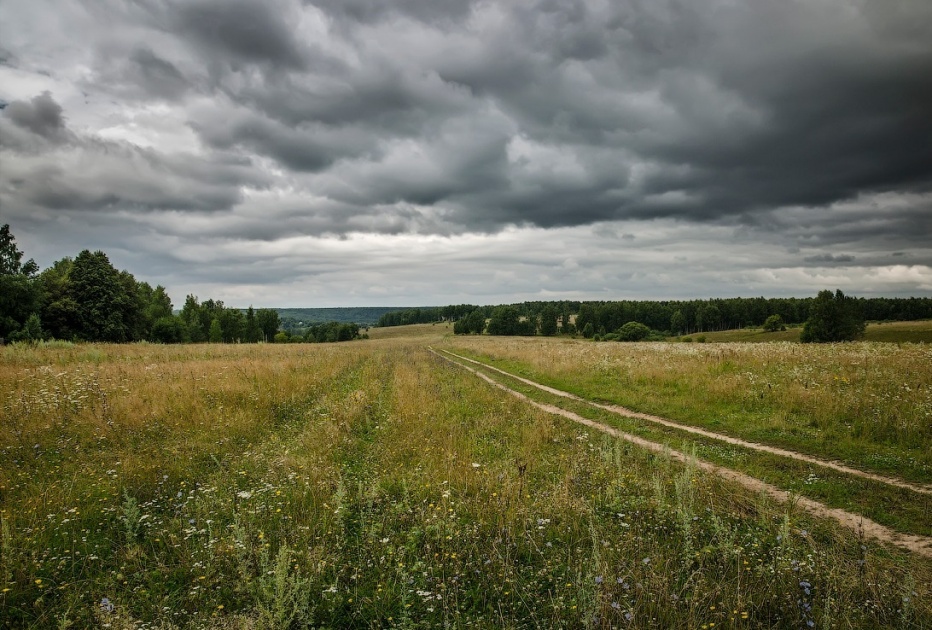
(869, 404)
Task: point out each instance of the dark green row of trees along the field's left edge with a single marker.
(86, 298)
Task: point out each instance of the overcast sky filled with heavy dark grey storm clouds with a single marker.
(326, 153)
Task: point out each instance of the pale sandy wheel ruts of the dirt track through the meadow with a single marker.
(917, 544)
